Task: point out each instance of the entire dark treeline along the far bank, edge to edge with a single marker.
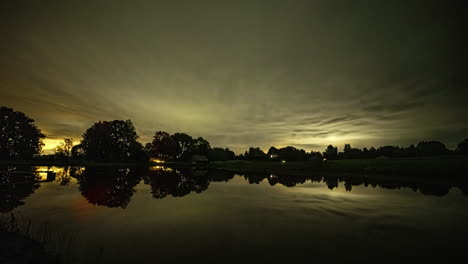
(117, 141)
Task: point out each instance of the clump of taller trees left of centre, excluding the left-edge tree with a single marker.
(116, 141)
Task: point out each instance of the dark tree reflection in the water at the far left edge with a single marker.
(15, 186)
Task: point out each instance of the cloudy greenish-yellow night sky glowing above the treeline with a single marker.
(240, 73)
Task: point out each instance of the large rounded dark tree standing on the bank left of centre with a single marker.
(112, 141)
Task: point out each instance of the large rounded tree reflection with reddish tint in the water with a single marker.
(108, 186)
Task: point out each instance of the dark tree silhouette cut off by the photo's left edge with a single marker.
(19, 136)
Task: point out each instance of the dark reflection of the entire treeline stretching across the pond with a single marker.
(114, 186)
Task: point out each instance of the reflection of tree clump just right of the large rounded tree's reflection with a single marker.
(177, 183)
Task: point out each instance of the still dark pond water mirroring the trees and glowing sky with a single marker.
(128, 215)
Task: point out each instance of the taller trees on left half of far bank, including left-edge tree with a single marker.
(104, 141)
